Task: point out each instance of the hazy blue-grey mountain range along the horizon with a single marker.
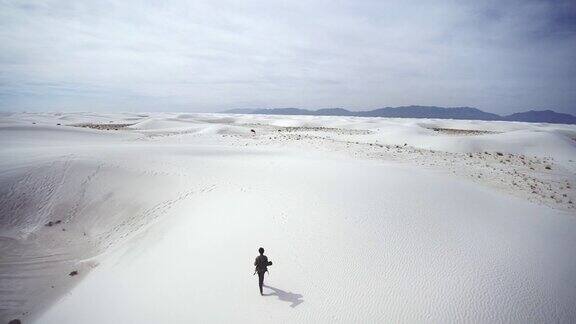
(533, 116)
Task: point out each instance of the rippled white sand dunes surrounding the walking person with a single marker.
(162, 220)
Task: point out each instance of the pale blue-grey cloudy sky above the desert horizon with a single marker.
(205, 56)
